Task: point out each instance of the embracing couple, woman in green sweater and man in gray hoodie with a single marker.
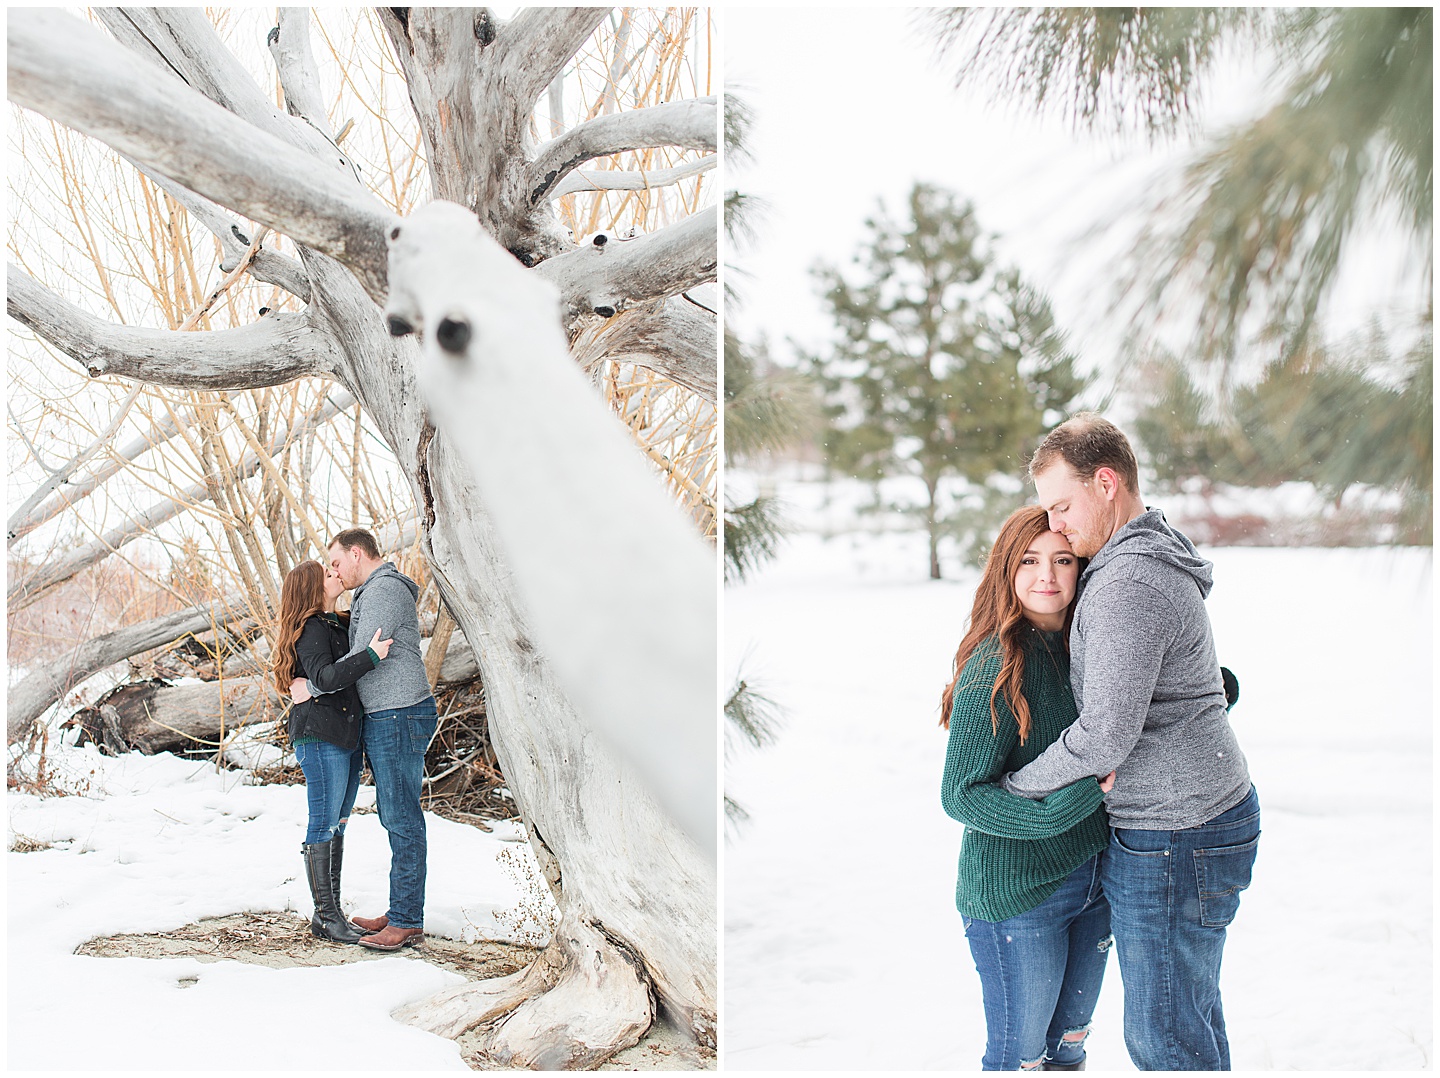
(1092, 761)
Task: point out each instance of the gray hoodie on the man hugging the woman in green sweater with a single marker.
(1147, 683)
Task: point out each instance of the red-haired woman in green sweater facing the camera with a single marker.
(1029, 886)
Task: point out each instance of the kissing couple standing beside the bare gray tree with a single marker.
(359, 690)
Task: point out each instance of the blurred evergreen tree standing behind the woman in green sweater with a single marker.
(947, 365)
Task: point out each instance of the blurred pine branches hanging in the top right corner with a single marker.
(1265, 217)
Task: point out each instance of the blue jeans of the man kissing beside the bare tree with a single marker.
(397, 742)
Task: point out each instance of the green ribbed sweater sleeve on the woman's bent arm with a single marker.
(977, 758)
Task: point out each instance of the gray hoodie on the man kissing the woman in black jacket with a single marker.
(387, 601)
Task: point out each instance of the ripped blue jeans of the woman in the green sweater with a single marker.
(1040, 974)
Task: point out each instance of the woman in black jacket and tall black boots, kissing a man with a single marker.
(313, 643)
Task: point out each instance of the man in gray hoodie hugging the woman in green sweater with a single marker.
(1153, 709)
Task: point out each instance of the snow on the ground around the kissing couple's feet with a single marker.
(153, 844)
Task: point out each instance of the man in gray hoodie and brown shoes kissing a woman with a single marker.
(400, 723)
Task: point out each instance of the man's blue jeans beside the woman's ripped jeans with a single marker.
(1171, 894)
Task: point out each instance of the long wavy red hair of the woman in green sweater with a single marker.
(999, 614)
